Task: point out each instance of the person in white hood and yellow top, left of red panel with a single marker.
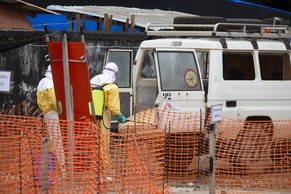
(46, 101)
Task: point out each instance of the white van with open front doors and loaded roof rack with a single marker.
(189, 67)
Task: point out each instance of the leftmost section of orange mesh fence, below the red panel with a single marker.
(36, 158)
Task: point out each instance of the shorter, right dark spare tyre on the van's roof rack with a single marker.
(249, 29)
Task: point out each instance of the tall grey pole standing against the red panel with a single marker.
(69, 107)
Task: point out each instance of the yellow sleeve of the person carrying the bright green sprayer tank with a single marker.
(112, 101)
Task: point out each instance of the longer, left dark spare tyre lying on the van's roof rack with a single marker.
(196, 20)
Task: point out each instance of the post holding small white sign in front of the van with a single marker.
(213, 129)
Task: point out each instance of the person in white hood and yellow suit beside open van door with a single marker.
(111, 104)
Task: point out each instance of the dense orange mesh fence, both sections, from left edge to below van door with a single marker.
(56, 156)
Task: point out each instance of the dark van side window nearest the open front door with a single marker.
(238, 66)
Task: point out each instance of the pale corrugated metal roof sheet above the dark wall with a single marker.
(120, 14)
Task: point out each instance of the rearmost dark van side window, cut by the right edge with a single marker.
(275, 66)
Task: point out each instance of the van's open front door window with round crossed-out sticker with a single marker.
(178, 71)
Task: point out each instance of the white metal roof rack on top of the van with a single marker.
(239, 30)
